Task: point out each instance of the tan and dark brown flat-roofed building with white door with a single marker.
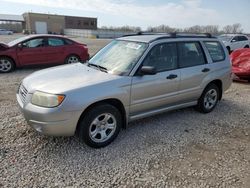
(51, 23)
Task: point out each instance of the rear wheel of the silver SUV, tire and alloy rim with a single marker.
(208, 99)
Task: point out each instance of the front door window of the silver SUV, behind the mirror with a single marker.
(163, 57)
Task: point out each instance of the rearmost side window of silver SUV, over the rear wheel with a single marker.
(215, 50)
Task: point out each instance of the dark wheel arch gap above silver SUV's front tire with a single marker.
(112, 101)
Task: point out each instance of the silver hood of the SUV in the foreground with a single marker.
(61, 79)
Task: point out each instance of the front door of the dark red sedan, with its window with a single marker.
(32, 51)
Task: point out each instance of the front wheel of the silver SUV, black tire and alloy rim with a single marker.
(100, 126)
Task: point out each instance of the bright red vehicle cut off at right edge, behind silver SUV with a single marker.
(241, 63)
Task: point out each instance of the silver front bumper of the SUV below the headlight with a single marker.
(49, 121)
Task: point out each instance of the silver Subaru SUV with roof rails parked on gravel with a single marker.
(131, 78)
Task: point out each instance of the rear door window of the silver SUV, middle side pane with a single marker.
(190, 54)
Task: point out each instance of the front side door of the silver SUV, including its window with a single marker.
(152, 92)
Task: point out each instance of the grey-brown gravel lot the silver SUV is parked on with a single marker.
(182, 148)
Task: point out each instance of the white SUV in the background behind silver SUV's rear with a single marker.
(235, 41)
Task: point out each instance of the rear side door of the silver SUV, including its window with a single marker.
(193, 69)
